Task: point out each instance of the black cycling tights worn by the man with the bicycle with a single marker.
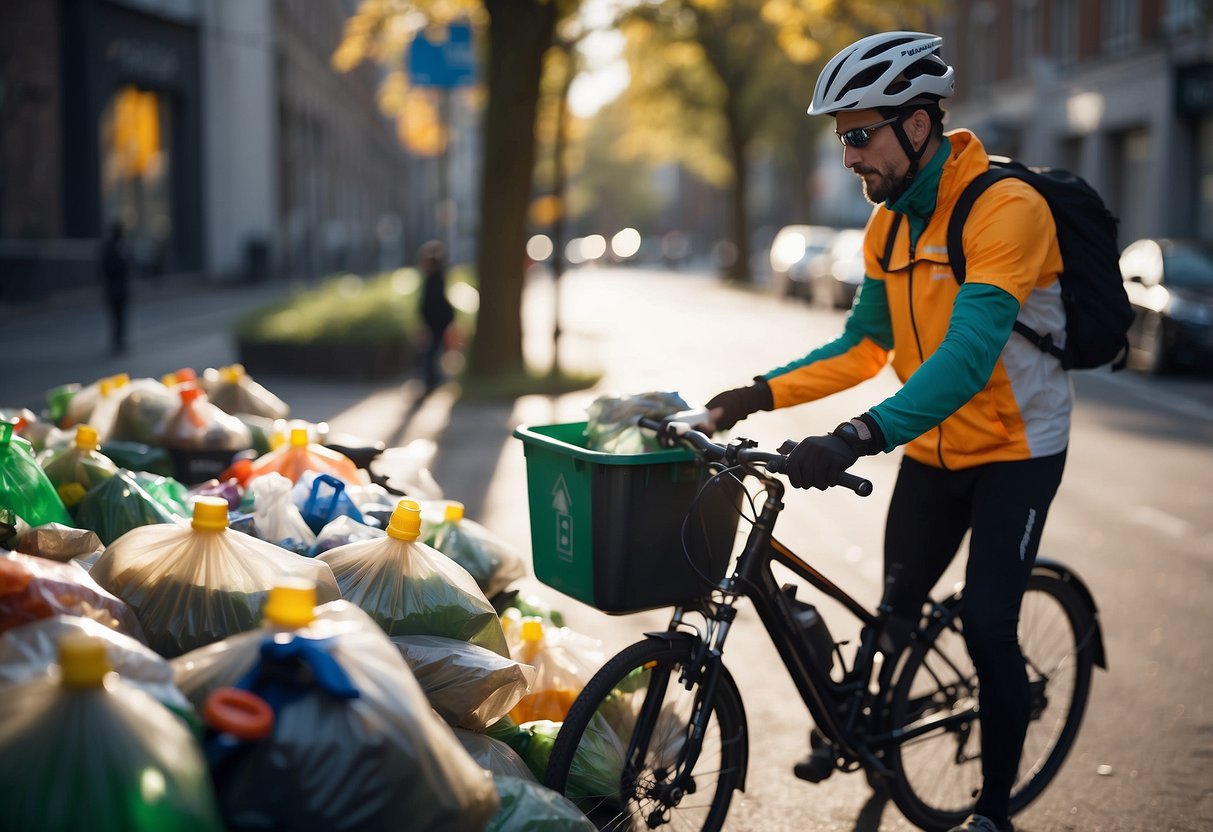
(1004, 505)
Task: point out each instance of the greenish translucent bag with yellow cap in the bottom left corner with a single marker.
(83, 750)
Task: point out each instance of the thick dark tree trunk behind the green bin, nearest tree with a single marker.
(520, 35)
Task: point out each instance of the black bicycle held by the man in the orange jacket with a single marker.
(667, 716)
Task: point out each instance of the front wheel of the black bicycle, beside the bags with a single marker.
(628, 753)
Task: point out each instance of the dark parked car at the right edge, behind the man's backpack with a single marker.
(1170, 283)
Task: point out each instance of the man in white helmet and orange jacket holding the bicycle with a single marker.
(984, 415)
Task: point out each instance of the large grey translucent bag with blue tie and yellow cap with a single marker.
(355, 745)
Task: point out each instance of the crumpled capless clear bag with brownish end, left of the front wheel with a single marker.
(469, 686)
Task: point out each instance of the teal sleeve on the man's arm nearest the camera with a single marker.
(978, 330)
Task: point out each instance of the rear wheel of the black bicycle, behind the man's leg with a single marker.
(938, 768)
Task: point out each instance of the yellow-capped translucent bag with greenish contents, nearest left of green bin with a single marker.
(413, 590)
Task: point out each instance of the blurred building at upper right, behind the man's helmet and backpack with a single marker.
(1119, 92)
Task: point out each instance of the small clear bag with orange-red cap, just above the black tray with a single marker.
(203, 438)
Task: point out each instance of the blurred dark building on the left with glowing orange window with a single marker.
(218, 133)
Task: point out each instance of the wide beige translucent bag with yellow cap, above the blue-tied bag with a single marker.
(200, 584)
